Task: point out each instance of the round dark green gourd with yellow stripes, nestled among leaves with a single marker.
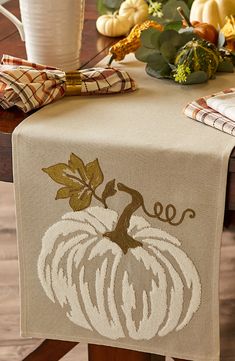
(198, 55)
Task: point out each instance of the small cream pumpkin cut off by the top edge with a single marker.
(135, 10)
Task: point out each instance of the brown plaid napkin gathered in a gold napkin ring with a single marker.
(30, 86)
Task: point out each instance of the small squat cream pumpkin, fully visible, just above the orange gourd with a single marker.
(113, 25)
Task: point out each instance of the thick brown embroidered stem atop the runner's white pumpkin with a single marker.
(119, 235)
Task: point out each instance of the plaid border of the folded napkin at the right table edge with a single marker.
(199, 110)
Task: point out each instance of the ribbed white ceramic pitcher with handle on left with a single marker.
(52, 31)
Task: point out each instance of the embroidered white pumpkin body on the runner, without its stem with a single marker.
(150, 290)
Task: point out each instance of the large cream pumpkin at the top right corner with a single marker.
(213, 12)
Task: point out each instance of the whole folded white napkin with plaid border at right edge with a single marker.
(201, 111)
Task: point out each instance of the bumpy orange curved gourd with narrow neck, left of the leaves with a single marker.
(132, 42)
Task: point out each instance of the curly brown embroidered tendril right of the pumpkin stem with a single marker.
(170, 213)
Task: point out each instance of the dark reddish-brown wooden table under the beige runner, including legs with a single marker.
(94, 48)
